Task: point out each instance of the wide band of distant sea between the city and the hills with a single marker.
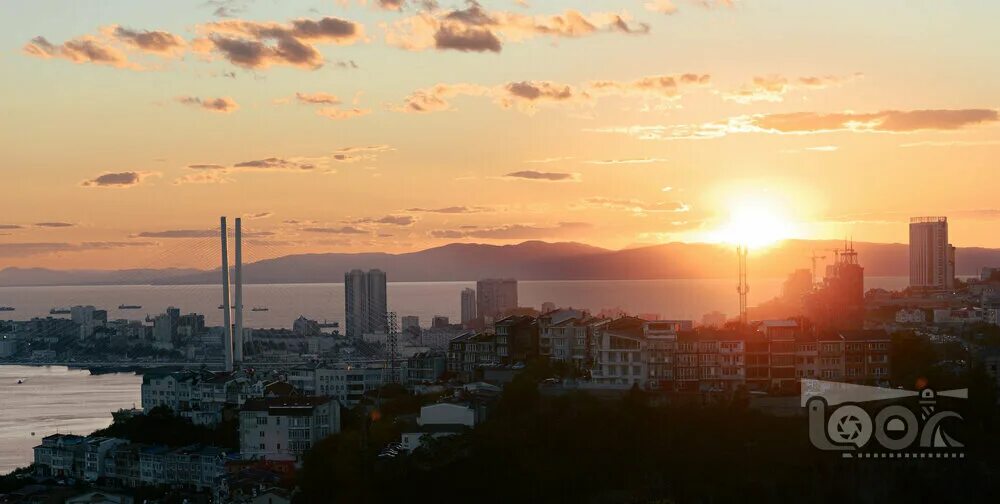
(671, 299)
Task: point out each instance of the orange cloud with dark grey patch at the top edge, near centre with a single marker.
(476, 29)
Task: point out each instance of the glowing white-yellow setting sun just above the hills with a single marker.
(756, 223)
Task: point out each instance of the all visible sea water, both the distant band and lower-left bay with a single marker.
(56, 399)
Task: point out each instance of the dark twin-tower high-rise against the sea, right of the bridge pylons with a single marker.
(365, 303)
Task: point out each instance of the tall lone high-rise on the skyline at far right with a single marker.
(932, 258)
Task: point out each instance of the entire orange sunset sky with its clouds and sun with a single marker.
(388, 125)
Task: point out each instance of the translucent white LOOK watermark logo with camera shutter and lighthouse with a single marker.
(837, 423)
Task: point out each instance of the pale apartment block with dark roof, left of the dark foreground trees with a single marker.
(285, 428)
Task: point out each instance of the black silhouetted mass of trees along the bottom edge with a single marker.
(577, 448)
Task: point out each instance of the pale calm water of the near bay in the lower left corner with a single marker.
(56, 399)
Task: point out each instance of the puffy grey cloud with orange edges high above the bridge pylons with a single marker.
(259, 45)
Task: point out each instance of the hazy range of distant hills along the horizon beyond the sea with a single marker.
(533, 260)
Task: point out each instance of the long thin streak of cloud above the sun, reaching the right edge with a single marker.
(889, 121)
